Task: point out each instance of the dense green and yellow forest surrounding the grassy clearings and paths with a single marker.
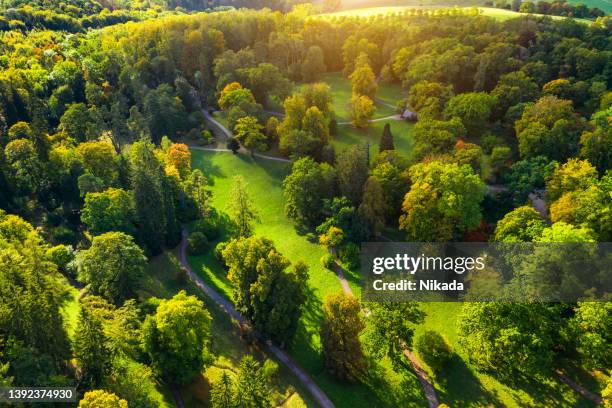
(96, 177)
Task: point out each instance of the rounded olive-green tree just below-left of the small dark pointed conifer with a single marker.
(352, 167)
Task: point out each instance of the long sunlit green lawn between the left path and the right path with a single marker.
(382, 387)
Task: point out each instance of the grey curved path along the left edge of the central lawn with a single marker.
(317, 393)
